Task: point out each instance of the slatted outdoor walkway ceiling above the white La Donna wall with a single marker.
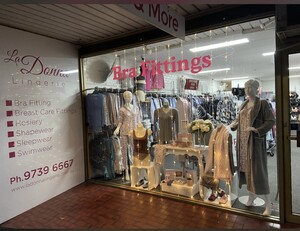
(83, 24)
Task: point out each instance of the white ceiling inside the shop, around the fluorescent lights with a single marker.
(245, 60)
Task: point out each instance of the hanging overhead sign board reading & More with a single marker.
(160, 16)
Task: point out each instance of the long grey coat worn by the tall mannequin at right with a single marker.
(262, 119)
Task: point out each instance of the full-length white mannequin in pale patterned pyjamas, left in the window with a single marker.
(129, 117)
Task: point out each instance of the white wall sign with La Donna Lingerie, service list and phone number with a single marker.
(40, 121)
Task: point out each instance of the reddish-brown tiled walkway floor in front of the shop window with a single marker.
(91, 205)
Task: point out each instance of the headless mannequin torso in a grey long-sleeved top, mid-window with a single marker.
(168, 125)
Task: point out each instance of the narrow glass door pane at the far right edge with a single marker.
(294, 75)
